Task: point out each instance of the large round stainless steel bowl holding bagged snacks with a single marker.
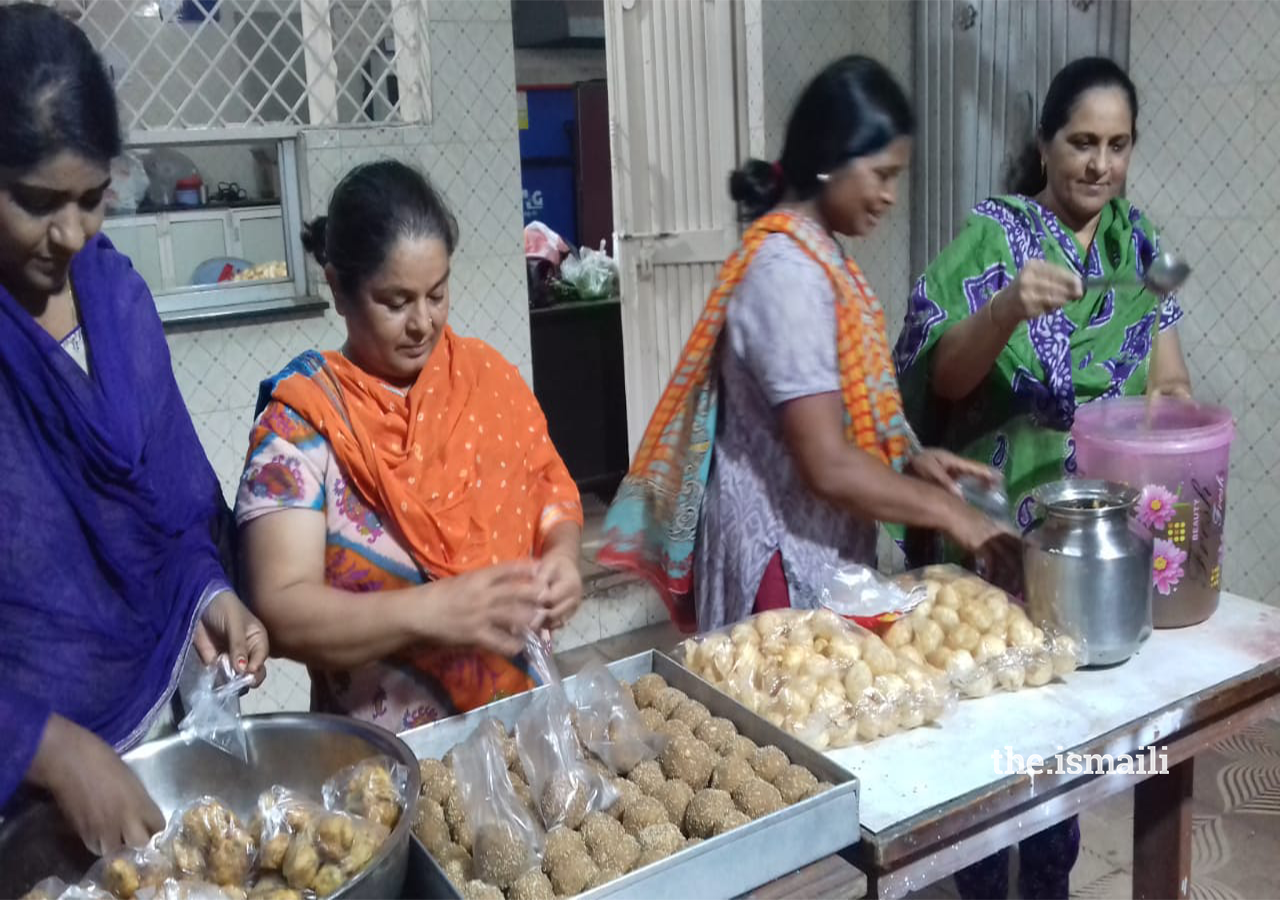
(298, 751)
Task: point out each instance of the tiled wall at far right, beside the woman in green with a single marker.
(1206, 172)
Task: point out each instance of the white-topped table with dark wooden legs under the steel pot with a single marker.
(935, 802)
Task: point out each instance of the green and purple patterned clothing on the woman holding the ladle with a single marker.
(1020, 419)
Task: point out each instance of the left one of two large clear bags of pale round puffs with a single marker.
(820, 677)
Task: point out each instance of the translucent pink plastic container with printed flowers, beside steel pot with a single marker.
(1180, 462)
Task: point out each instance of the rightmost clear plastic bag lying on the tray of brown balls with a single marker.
(610, 724)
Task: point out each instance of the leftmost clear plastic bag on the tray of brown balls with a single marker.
(508, 840)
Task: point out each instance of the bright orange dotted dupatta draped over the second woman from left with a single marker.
(461, 464)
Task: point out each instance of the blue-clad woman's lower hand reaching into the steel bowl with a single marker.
(99, 794)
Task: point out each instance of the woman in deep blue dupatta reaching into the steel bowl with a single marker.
(109, 570)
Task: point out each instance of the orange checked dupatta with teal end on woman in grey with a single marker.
(652, 526)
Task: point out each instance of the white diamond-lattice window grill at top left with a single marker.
(260, 68)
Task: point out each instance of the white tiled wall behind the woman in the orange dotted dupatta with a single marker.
(470, 152)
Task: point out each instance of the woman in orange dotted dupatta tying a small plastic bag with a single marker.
(414, 469)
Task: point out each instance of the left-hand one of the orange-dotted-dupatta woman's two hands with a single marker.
(490, 609)
